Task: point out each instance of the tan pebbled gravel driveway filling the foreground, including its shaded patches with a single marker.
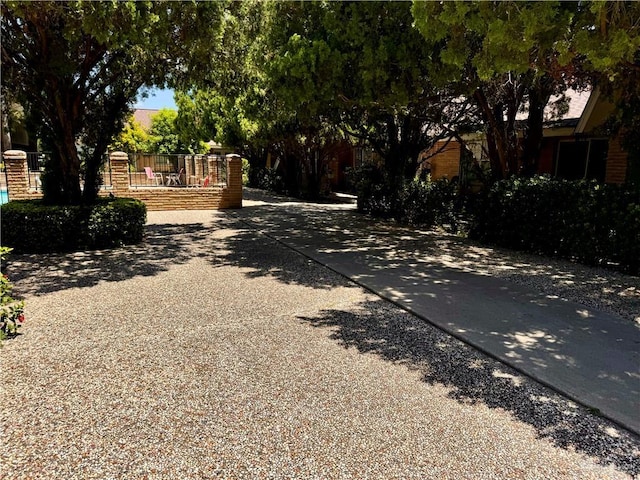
(211, 351)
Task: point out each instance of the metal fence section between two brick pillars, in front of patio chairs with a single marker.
(176, 170)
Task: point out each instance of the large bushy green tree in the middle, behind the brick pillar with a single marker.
(321, 71)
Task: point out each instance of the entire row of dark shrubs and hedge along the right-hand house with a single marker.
(580, 220)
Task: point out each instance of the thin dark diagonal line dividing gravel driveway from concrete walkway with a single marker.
(590, 409)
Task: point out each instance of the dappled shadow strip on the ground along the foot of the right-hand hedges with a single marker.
(343, 229)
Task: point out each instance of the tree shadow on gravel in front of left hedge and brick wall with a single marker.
(227, 241)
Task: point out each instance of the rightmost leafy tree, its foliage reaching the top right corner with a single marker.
(512, 56)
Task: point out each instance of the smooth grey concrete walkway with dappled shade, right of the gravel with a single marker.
(589, 356)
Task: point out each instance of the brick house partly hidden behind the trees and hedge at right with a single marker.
(573, 145)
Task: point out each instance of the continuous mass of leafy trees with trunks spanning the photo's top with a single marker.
(293, 77)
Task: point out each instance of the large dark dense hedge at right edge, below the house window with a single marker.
(581, 220)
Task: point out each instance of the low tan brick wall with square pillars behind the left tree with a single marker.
(155, 198)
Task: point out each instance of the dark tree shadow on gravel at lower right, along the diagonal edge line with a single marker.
(396, 336)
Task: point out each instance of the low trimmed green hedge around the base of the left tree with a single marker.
(31, 226)
